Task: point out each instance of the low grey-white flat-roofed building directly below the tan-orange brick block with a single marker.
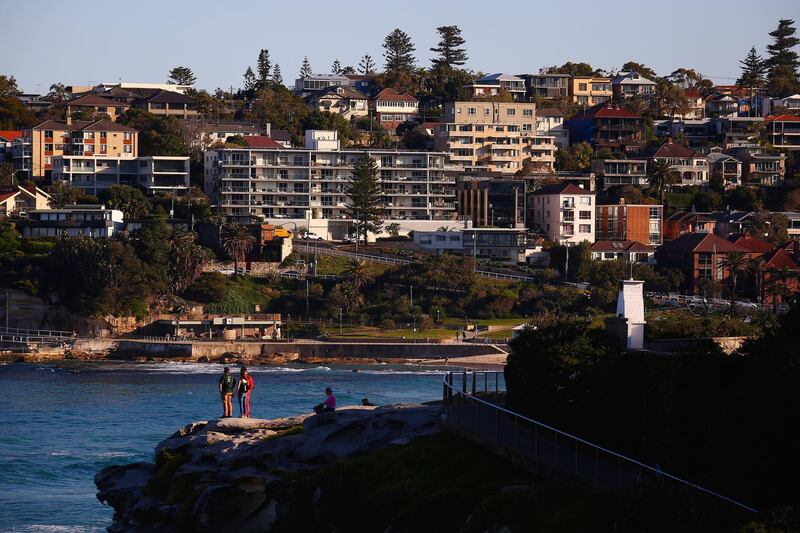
(93, 174)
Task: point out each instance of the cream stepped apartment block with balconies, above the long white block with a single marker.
(498, 136)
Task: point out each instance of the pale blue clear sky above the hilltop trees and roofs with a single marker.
(139, 41)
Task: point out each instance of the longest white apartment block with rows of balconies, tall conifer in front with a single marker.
(275, 183)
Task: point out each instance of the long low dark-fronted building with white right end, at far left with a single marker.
(90, 220)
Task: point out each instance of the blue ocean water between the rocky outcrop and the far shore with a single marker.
(62, 423)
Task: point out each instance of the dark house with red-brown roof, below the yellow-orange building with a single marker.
(608, 126)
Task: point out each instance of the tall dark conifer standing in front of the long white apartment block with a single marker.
(366, 197)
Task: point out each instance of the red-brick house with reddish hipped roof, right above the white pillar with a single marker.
(701, 258)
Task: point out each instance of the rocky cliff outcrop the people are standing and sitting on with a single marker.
(237, 474)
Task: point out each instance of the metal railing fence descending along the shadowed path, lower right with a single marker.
(552, 452)
